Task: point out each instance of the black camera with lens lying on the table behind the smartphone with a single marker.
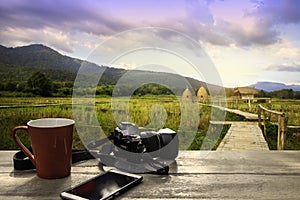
(137, 150)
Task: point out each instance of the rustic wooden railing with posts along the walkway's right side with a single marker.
(282, 124)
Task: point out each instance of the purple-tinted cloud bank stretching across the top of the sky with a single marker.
(101, 18)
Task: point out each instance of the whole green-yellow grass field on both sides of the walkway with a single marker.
(18, 111)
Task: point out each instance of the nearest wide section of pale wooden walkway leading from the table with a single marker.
(243, 136)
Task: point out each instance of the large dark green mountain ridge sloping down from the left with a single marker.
(18, 63)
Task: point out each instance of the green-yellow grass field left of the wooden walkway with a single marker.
(165, 108)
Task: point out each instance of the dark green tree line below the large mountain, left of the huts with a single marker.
(38, 84)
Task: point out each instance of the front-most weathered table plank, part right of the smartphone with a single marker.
(217, 186)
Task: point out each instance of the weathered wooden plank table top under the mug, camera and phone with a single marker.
(195, 175)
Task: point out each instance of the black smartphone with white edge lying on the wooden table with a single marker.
(104, 186)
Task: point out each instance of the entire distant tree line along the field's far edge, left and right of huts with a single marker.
(39, 84)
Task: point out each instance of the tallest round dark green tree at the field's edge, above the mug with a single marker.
(39, 84)
